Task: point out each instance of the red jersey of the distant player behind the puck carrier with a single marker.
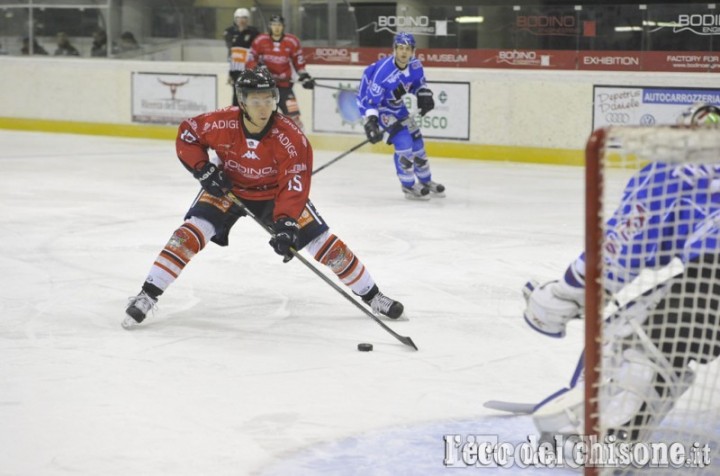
(279, 57)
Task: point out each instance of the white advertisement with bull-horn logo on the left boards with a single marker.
(164, 98)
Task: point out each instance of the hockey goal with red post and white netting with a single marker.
(652, 376)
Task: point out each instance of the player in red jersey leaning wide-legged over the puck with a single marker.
(266, 161)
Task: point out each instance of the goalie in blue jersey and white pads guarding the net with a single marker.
(668, 218)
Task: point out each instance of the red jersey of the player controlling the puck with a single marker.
(277, 166)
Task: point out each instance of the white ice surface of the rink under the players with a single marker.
(250, 365)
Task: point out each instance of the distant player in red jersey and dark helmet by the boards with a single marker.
(281, 52)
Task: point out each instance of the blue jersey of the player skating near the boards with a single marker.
(380, 79)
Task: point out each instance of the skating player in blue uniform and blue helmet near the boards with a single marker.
(380, 99)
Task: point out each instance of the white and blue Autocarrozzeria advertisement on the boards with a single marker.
(647, 106)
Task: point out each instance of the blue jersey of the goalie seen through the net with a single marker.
(666, 211)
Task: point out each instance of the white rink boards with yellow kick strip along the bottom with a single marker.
(516, 115)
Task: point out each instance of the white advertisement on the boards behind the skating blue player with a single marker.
(335, 109)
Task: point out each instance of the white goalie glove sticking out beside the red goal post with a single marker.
(550, 306)
